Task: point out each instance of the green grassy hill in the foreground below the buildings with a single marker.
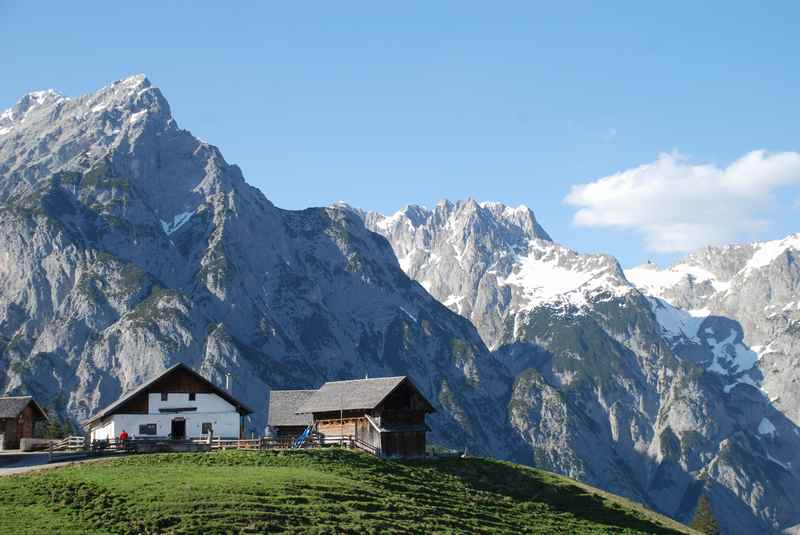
(323, 491)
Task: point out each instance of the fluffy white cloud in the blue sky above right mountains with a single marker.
(678, 206)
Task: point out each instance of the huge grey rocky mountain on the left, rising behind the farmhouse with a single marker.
(126, 244)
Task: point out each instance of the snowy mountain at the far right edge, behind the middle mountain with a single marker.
(740, 306)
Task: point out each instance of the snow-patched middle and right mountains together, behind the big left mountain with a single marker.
(628, 380)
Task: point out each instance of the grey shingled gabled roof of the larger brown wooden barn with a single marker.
(359, 394)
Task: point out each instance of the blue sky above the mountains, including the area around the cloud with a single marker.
(382, 106)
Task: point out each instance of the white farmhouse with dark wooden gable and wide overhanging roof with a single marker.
(177, 404)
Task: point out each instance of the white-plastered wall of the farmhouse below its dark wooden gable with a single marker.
(210, 409)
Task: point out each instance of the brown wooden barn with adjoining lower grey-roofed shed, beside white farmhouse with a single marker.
(385, 416)
